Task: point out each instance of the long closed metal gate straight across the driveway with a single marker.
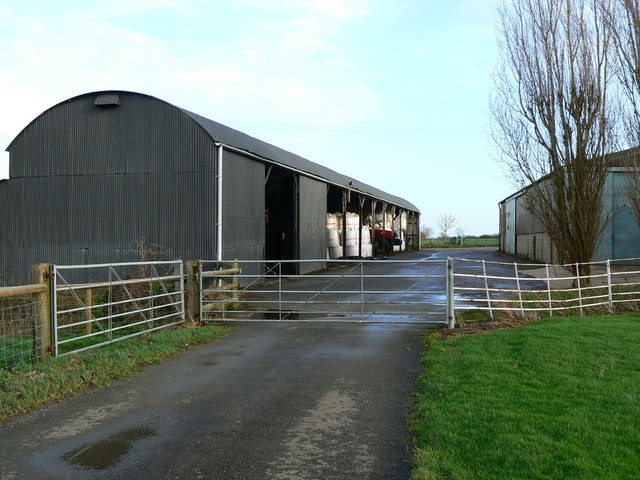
(374, 291)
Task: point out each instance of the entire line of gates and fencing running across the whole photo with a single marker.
(72, 308)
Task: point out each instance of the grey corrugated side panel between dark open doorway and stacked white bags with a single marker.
(312, 237)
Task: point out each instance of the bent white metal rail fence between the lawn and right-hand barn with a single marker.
(544, 289)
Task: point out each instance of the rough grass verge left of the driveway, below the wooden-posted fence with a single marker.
(29, 386)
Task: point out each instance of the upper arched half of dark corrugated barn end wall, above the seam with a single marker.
(142, 135)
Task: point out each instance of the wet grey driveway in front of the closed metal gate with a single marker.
(269, 401)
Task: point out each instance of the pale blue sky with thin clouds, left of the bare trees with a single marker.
(394, 93)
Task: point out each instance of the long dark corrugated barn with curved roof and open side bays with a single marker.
(98, 175)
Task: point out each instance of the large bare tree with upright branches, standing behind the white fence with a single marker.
(551, 116)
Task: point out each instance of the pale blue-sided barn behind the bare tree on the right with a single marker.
(521, 234)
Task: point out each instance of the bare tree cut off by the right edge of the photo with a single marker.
(623, 21)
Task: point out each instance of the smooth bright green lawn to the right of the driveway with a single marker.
(553, 399)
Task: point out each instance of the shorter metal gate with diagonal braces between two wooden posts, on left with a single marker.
(94, 305)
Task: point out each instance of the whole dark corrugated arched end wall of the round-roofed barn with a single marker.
(89, 183)
